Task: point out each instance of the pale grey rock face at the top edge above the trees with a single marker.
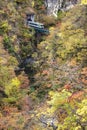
(53, 6)
